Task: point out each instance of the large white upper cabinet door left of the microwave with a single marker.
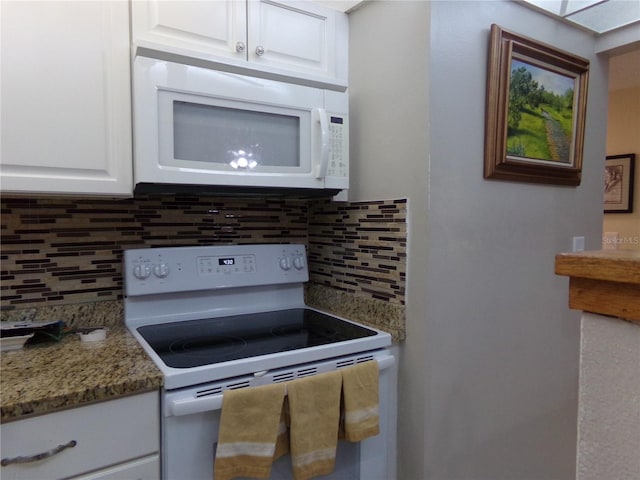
(66, 100)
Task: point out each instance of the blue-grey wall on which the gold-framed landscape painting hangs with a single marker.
(503, 402)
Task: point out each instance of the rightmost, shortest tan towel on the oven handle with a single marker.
(360, 394)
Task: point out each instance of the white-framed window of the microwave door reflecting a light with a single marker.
(205, 133)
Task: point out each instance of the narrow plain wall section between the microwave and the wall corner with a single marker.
(389, 158)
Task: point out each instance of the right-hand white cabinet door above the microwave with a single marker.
(300, 36)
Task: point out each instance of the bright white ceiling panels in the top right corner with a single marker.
(597, 16)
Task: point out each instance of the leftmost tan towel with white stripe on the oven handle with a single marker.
(250, 424)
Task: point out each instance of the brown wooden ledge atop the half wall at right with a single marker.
(606, 282)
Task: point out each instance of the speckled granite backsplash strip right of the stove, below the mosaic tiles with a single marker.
(374, 313)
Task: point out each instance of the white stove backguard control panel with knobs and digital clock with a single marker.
(181, 269)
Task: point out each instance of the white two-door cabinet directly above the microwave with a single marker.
(301, 40)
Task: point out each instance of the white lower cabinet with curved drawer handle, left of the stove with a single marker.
(116, 439)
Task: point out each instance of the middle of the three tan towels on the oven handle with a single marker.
(314, 408)
